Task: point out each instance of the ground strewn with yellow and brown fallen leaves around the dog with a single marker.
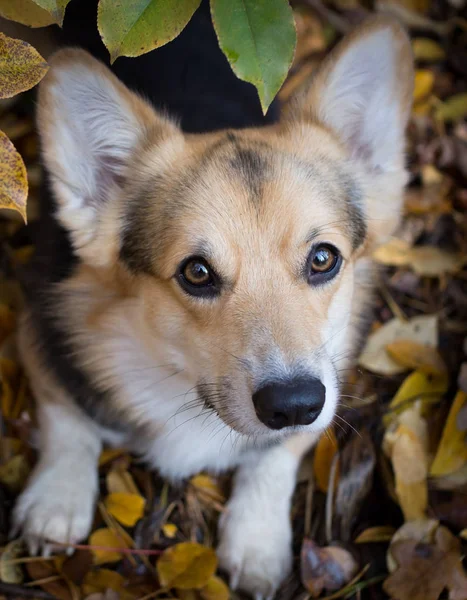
(380, 509)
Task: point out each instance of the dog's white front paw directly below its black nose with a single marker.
(255, 547)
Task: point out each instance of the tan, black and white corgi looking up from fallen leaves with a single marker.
(203, 273)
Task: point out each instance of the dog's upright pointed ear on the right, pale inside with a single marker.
(363, 92)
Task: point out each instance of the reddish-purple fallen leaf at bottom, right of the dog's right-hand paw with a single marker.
(325, 569)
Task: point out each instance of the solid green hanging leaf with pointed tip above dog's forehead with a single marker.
(258, 38)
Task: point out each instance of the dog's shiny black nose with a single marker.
(287, 403)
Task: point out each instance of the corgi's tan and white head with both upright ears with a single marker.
(246, 249)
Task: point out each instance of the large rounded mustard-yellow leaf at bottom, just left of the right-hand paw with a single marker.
(186, 566)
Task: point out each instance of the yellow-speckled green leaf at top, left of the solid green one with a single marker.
(134, 28)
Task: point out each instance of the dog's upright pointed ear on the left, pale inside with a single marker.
(90, 125)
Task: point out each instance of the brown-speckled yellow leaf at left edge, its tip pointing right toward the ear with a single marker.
(21, 66)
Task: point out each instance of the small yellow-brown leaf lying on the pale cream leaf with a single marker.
(414, 355)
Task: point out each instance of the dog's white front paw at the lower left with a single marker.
(56, 506)
